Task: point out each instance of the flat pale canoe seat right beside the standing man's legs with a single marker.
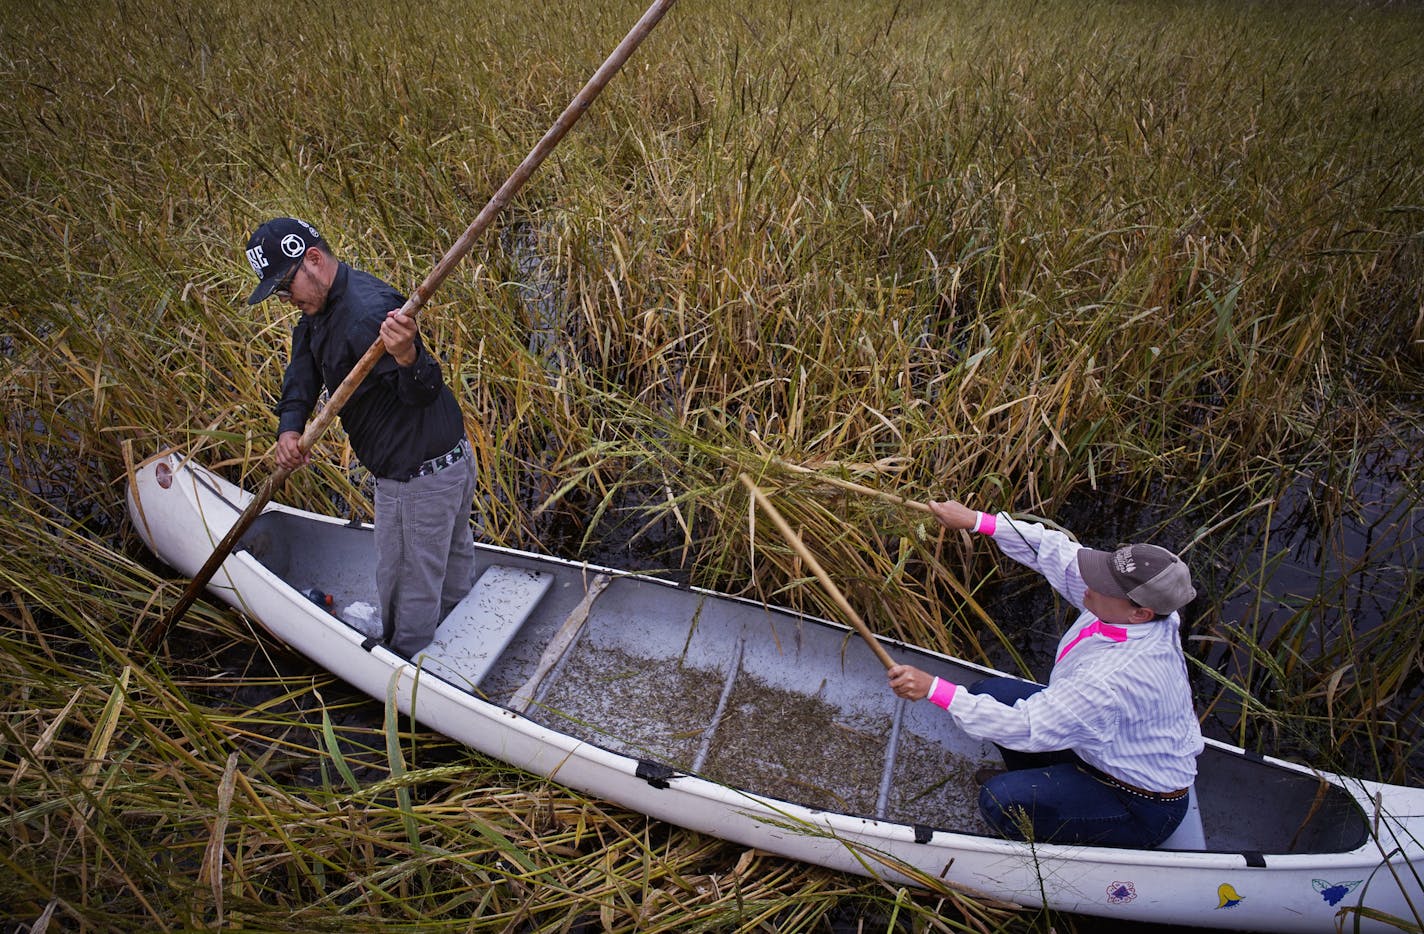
(481, 627)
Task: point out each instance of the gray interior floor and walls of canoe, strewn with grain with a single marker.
(777, 704)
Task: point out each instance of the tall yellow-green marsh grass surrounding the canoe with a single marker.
(1030, 254)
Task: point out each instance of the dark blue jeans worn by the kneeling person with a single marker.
(1057, 798)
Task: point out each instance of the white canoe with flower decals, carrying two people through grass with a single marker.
(778, 731)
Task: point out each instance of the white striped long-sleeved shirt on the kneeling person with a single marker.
(1119, 694)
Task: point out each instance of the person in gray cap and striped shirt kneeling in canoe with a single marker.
(1106, 752)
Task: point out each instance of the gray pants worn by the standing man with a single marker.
(425, 553)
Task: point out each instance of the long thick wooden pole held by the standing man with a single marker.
(334, 405)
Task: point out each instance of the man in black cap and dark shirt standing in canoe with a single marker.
(404, 424)
